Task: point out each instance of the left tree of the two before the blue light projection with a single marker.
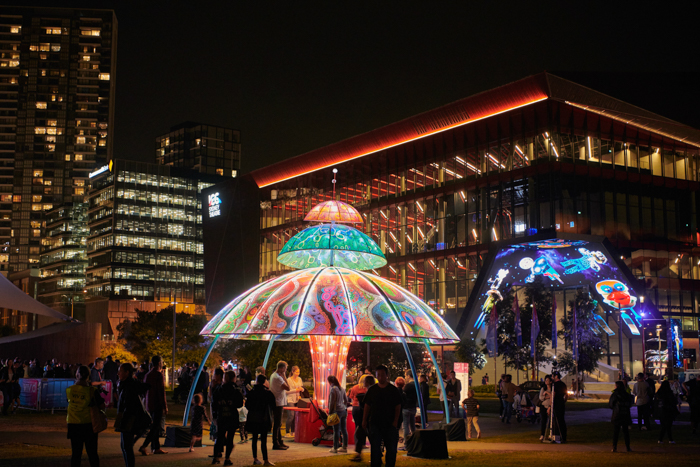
(519, 357)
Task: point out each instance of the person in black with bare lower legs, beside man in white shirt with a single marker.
(260, 403)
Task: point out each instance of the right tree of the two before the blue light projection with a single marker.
(588, 335)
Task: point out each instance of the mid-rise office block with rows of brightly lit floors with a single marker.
(144, 248)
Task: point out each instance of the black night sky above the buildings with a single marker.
(294, 76)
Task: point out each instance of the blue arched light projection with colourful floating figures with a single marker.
(562, 264)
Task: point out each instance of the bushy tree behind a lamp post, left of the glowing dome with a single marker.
(151, 333)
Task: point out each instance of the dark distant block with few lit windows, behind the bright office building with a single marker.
(204, 148)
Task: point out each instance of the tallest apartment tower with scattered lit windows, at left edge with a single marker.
(57, 68)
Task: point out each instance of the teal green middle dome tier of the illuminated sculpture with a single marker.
(331, 245)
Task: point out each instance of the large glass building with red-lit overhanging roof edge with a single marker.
(541, 153)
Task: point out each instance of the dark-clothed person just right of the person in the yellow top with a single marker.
(130, 416)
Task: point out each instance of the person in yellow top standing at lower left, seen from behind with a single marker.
(82, 396)
